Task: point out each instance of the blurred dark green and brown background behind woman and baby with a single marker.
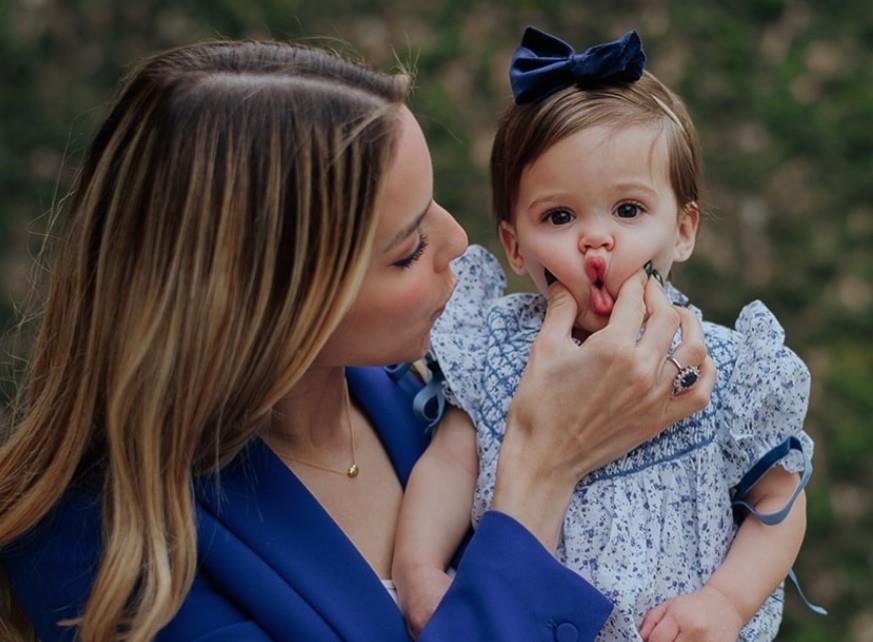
(782, 94)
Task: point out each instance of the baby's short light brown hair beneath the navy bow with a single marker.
(525, 132)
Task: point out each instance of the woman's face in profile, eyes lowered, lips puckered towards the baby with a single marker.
(408, 281)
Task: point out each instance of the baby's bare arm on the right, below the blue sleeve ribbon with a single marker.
(758, 561)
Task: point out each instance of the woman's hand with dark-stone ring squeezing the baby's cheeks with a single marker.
(580, 407)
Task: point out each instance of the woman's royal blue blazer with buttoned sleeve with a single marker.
(273, 565)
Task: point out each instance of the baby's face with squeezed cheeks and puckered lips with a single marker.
(592, 210)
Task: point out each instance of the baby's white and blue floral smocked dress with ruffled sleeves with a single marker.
(658, 522)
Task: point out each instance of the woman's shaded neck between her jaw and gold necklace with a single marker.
(313, 418)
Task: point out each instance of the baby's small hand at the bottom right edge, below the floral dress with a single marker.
(705, 616)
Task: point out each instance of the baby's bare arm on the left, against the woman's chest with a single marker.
(434, 517)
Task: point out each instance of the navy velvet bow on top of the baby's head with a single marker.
(544, 64)
